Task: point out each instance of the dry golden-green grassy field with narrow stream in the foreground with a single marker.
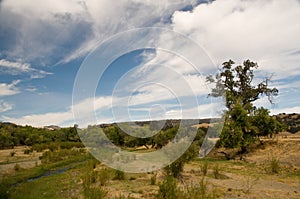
(271, 171)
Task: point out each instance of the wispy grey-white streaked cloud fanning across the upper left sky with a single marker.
(65, 30)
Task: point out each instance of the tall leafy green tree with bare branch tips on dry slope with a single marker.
(243, 121)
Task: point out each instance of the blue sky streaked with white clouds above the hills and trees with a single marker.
(71, 61)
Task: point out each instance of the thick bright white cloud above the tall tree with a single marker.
(261, 30)
